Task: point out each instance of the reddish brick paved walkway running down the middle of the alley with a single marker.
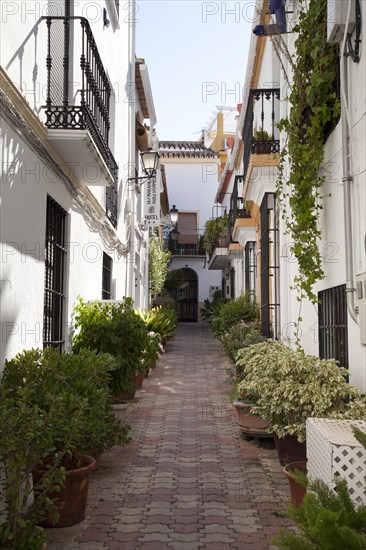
(188, 480)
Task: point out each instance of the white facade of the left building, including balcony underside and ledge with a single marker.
(36, 164)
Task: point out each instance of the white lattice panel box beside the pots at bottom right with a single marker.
(333, 451)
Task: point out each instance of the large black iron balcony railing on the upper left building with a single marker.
(80, 101)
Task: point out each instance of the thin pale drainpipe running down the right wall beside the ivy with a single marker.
(347, 179)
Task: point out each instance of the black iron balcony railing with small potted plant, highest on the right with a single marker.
(259, 134)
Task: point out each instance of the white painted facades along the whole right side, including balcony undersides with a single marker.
(262, 179)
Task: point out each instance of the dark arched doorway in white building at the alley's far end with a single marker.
(187, 295)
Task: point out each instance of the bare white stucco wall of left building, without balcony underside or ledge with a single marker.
(26, 181)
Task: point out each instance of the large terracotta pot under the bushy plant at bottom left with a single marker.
(71, 500)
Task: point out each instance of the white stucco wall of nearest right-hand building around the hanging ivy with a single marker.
(332, 245)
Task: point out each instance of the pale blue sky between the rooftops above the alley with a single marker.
(196, 53)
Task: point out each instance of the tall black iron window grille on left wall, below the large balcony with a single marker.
(55, 261)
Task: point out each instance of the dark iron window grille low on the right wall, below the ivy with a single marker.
(333, 328)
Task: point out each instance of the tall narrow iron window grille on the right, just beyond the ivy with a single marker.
(269, 270)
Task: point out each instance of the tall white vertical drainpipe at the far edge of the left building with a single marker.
(131, 151)
